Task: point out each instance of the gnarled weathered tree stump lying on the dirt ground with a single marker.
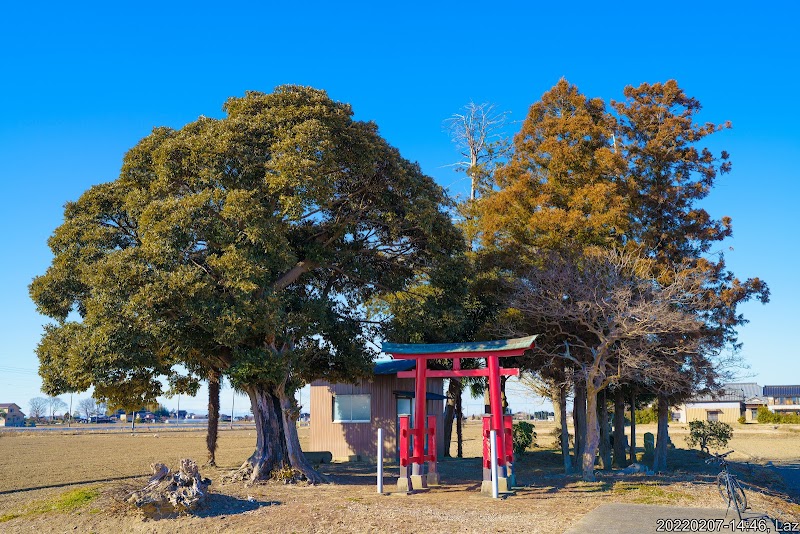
(169, 493)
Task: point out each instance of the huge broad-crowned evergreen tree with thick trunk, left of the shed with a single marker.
(246, 244)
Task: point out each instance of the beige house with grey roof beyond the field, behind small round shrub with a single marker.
(731, 402)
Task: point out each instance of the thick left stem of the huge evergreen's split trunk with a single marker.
(270, 453)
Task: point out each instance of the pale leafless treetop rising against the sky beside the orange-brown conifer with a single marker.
(477, 133)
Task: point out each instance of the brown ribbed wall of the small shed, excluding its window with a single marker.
(345, 440)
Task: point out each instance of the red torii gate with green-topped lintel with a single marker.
(492, 351)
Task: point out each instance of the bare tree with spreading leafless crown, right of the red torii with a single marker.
(612, 317)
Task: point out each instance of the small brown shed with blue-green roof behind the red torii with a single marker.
(345, 418)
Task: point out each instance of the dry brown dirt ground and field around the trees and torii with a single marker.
(42, 475)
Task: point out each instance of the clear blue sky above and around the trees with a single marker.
(83, 82)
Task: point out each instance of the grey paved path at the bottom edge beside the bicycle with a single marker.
(646, 518)
